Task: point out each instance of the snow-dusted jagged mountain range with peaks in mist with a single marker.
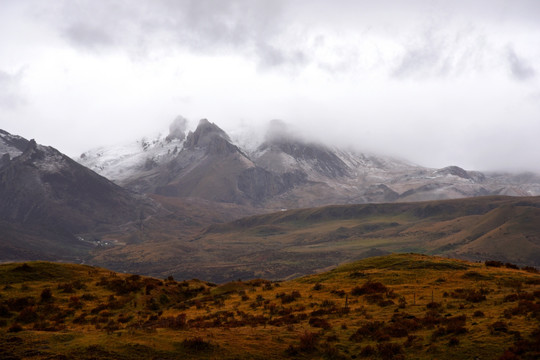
(285, 170)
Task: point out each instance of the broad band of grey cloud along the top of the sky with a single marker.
(416, 38)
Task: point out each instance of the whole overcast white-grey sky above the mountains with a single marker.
(438, 83)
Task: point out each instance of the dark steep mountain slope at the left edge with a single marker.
(54, 207)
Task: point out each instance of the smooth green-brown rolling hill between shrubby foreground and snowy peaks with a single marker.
(299, 242)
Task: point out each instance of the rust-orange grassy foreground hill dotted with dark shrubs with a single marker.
(391, 307)
